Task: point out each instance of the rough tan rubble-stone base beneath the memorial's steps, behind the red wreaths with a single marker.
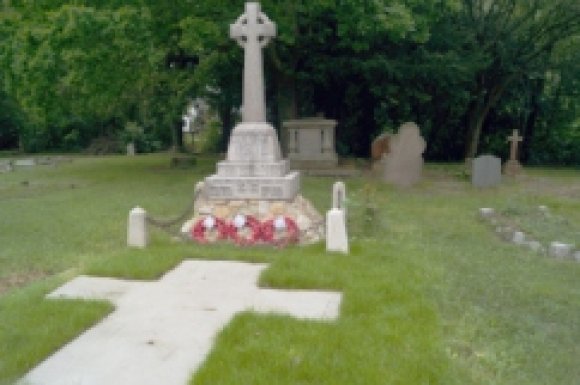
(309, 221)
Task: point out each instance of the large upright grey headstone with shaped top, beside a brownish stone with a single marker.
(403, 165)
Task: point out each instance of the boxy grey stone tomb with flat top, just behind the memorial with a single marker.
(311, 143)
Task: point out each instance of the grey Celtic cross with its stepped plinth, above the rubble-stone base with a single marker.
(254, 168)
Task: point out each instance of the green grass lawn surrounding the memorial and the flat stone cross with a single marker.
(431, 295)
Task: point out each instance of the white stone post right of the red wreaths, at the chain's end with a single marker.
(336, 234)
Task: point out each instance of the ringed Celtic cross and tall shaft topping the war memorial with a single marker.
(253, 31)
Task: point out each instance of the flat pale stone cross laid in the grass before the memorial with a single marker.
(162, 331)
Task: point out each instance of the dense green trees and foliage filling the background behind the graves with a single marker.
(467, 71)
